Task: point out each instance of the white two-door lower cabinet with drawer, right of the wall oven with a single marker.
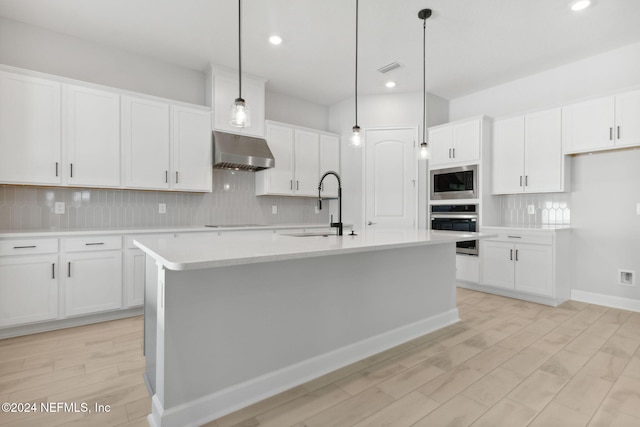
(532, 264)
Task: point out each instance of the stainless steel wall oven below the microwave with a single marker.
(457, 218)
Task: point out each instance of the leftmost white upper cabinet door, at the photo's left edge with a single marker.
(29, 130)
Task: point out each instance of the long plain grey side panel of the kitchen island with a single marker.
(228, 326)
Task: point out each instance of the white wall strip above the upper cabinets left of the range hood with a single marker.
(38, 49)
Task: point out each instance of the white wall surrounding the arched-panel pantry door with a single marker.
(404, 109)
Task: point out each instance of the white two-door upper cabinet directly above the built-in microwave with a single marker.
(455, 143)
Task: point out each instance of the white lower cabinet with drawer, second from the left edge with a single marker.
(92, 274)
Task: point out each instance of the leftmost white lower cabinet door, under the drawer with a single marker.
(28, 289)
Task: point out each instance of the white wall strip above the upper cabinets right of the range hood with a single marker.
(287, 109)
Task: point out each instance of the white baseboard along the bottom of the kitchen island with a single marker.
(224, 402)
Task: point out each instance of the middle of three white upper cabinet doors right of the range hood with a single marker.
(307, 163)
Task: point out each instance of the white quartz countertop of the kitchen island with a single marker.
(201, 252)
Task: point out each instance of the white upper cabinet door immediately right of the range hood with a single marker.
(279, 179)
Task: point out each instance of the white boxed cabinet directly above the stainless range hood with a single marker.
(222, 90)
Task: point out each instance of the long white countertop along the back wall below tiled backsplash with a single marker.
(151, 230)
